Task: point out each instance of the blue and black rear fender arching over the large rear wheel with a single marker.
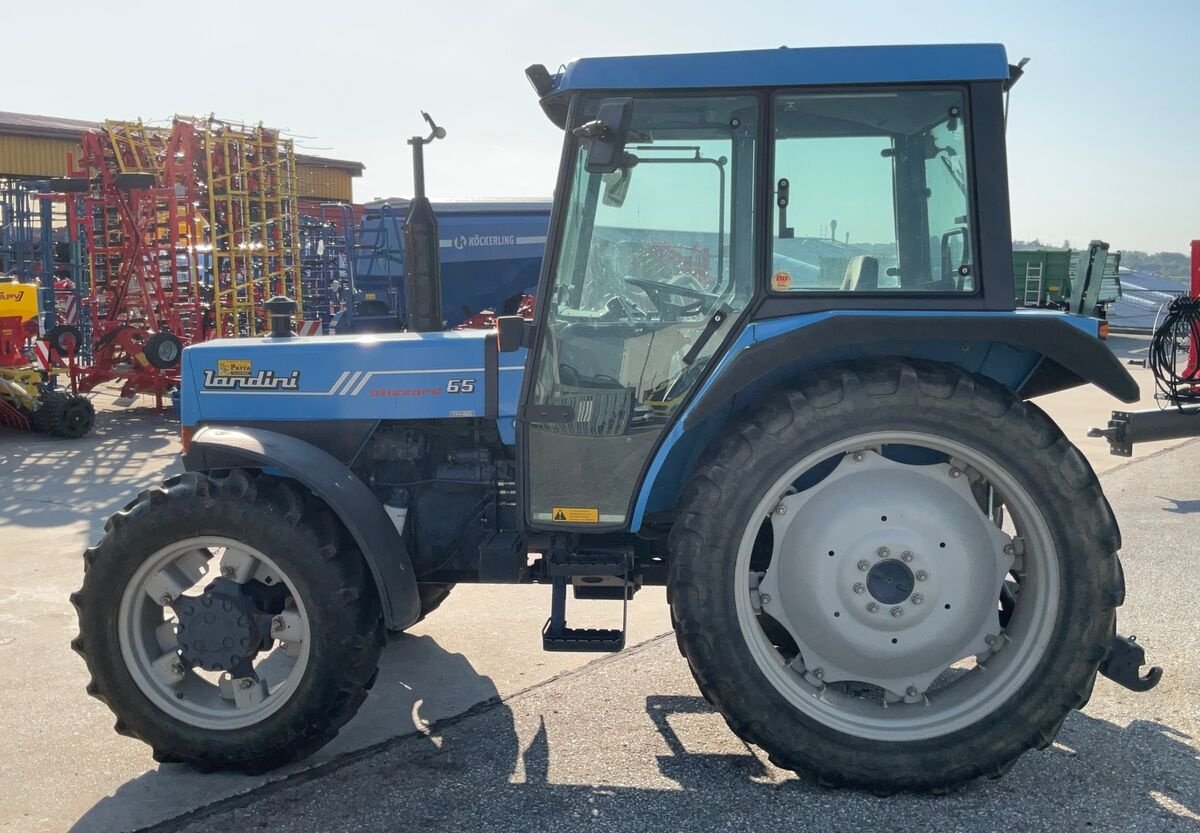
(1031, 353)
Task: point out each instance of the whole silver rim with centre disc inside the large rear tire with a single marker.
(884, 675)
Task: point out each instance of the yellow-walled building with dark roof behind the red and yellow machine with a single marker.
(38, 146)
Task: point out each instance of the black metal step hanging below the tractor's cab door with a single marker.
(562, 568)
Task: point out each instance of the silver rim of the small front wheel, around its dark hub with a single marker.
(151, 651)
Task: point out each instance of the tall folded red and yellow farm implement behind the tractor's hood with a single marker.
(187, 231)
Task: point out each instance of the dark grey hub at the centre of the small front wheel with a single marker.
(223, 630)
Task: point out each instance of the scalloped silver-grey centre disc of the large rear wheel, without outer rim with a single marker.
(886, 573)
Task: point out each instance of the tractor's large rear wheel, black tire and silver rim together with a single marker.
(896, 577)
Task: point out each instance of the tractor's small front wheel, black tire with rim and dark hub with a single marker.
(227, 622)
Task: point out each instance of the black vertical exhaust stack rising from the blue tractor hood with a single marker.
(423, 267)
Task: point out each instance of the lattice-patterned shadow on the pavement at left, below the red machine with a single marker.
(51, 482)
